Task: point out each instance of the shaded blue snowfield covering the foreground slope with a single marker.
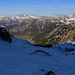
(21, 58)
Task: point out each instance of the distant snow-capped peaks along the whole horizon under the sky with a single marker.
(11, 20)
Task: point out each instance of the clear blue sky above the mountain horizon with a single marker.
(37, 7)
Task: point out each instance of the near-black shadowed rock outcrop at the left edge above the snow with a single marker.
(4, 35)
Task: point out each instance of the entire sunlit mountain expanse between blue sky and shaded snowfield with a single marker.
(51, 29)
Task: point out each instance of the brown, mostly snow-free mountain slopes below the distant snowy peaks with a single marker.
(41, 32)
